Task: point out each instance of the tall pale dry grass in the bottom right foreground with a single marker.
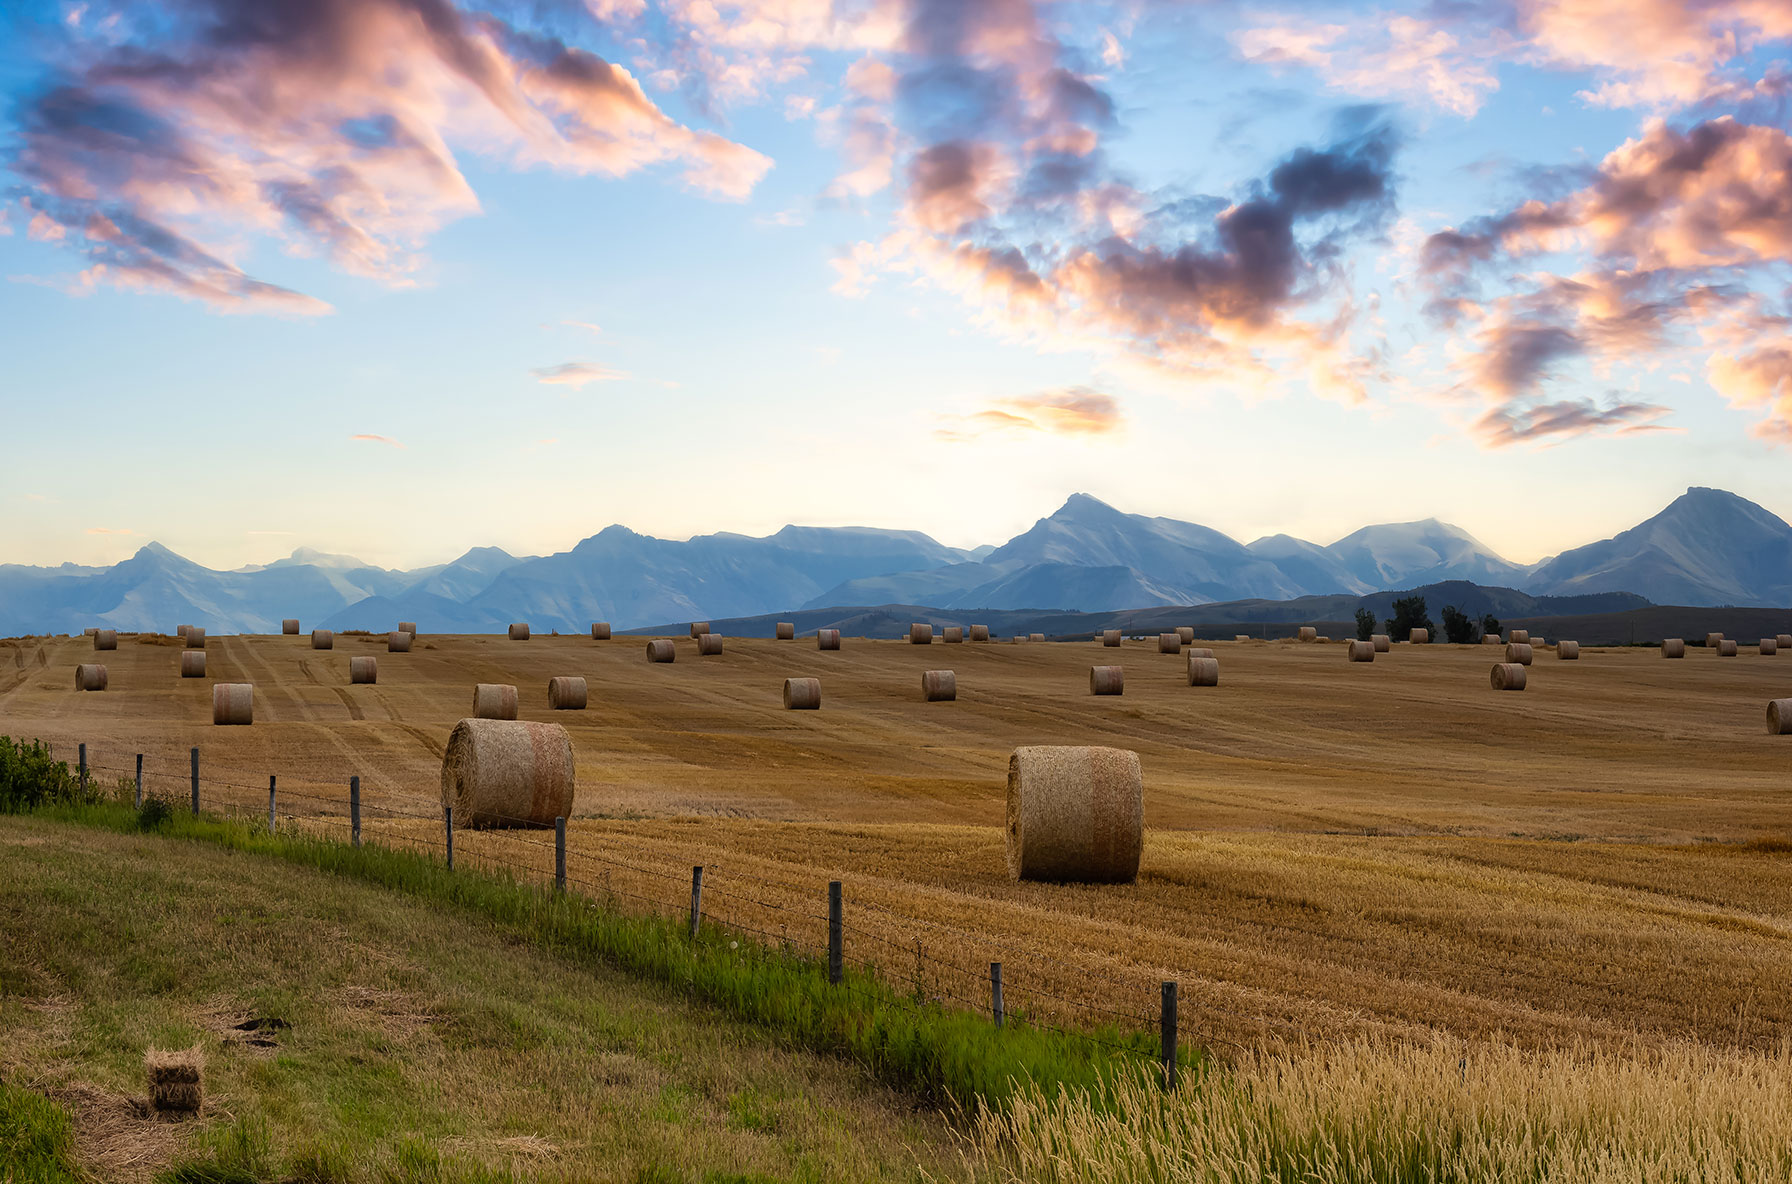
(1440, 1113)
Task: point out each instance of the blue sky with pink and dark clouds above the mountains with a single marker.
(397, 279)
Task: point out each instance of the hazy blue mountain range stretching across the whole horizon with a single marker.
(1709, 547)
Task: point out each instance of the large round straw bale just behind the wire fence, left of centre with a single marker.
(503, 773)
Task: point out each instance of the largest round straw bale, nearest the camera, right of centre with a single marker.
(1074, 814)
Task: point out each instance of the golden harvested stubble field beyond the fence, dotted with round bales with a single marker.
(1334, 850)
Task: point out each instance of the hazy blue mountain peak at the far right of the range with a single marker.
(1709, 547)
